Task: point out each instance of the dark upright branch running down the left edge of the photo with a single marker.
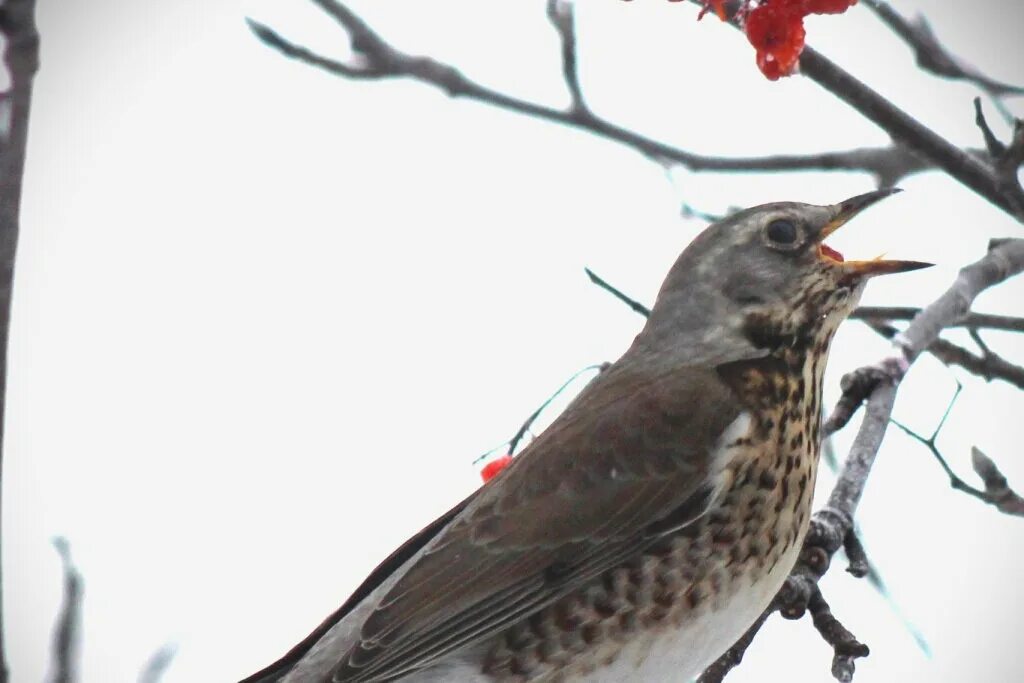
(21, 60)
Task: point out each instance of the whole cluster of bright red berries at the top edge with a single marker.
(776, 29)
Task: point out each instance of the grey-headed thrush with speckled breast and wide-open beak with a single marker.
(648, 528)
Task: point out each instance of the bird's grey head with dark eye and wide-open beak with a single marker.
(763, 278)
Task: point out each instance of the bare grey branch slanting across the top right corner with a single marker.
(932, 56)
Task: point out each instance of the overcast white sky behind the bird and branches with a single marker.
(267, 319)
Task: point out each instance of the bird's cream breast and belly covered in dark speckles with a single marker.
(665, 616)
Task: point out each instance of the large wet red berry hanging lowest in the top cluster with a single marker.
(777, 31)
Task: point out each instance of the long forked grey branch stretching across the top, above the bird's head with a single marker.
(380, 60)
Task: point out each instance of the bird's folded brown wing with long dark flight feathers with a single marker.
(631, 452)
